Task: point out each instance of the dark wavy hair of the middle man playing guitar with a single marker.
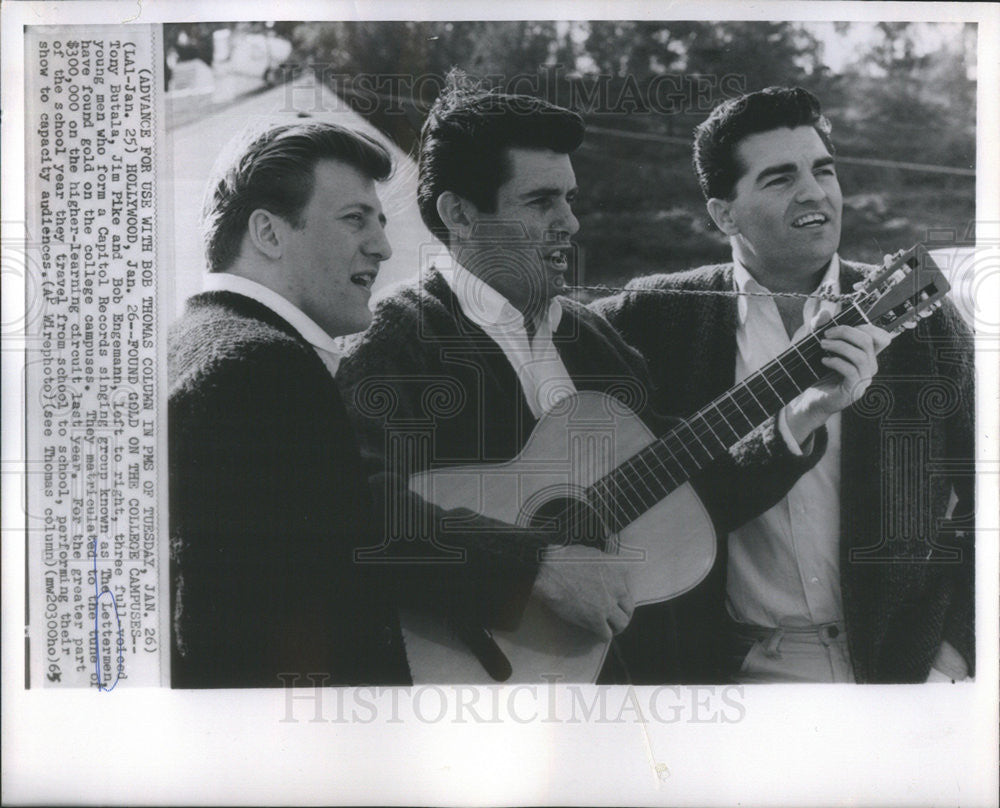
(464, 140)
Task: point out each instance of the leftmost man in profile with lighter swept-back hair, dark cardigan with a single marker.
(270, 509)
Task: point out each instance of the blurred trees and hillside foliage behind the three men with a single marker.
(640, 210)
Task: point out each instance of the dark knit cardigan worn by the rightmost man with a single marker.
(907, 574)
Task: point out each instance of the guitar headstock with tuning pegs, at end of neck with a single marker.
(908, 288)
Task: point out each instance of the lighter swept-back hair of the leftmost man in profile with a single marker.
(273, 170)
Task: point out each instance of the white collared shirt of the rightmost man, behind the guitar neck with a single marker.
(784, 567)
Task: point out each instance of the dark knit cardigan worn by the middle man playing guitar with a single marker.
(428, 386)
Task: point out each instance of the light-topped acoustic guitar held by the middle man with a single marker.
(591, 469)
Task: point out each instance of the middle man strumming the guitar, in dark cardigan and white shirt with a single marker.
(497, 187)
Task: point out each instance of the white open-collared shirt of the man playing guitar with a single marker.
(536, 361)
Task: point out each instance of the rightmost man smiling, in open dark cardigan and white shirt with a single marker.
(855, 575)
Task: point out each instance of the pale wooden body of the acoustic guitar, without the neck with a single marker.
(668, 549)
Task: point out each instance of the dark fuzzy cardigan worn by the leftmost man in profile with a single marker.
(267, 504)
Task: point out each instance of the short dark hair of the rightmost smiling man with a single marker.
(716, 138)
